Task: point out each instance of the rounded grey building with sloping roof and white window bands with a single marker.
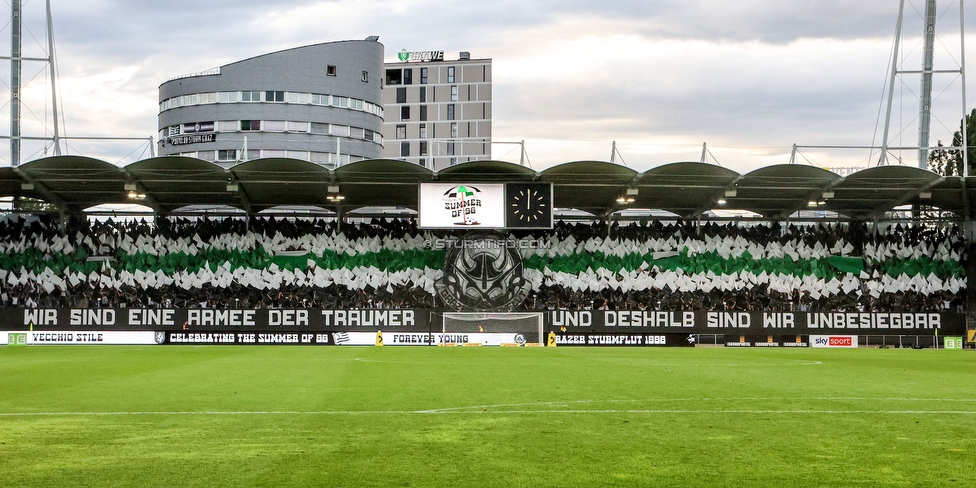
(320, 103)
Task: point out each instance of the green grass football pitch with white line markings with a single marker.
(415, 416)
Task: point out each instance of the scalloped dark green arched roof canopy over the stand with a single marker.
(686, 189)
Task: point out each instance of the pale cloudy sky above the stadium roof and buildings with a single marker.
(660, 77)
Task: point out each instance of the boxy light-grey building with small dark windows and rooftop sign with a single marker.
(438, 113)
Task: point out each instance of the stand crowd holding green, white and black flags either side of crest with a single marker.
(318, 263)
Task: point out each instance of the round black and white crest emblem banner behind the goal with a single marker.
(483, 272)
